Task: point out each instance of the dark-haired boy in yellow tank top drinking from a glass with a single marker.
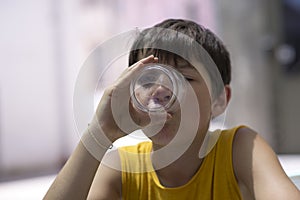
(239, 165)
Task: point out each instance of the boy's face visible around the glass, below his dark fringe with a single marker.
(196, 105)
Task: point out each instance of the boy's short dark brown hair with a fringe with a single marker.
(147, 40)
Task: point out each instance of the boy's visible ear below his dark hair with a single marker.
(220, 103)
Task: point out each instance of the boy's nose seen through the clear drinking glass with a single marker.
(161, 95)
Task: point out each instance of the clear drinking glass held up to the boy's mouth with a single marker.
(158, 88)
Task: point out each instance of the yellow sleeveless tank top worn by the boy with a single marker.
(215, 178)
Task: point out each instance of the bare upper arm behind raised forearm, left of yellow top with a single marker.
(107, 181)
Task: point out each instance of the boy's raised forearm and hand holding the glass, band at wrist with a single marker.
(75, 179)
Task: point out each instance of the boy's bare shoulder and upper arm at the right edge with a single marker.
(258, 170)
